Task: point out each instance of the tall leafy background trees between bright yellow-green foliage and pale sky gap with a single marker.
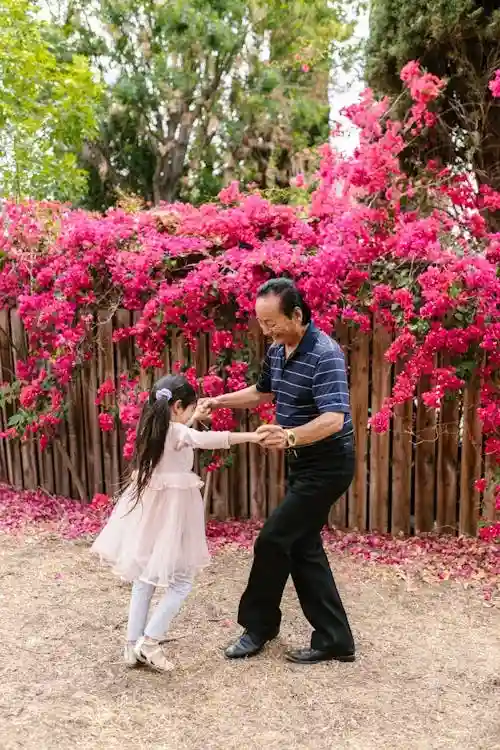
(202, 92)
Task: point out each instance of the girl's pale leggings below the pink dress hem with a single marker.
(164, 612)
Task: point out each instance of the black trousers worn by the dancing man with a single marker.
(290, 544)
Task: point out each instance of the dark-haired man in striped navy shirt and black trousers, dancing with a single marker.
(304, 372)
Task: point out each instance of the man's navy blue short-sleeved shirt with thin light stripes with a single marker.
(312, 381)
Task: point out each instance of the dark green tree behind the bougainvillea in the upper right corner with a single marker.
(454, 39)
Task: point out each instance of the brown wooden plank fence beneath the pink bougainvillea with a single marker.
(417, 477)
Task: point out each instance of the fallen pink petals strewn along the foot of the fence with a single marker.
(433, 558)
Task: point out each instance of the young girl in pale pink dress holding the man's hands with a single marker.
(156, 533)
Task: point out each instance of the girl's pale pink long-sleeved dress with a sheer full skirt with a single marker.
(164, 535)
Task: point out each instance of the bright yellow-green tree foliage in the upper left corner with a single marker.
(47, 108)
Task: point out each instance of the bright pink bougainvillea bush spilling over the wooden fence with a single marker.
(413, 251)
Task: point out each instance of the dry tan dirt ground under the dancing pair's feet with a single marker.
(427, 674)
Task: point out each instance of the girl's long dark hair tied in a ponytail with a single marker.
(153, 427)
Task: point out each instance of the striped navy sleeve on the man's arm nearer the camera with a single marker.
(330, 388)
